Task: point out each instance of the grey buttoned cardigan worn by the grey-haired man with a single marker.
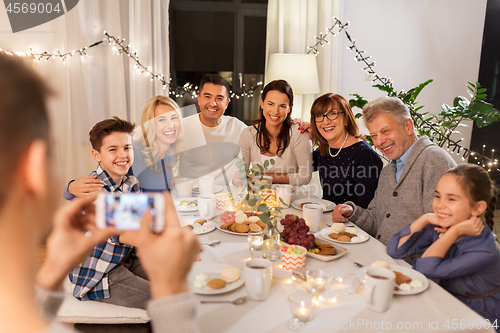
(396, 205)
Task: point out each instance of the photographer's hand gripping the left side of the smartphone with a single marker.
(69, 244)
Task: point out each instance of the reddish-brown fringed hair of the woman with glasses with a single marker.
(321, 106)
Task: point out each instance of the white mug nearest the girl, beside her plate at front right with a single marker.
(379, 288)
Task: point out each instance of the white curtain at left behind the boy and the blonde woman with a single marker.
(103, 84)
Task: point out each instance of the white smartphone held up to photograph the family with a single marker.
(124, 210)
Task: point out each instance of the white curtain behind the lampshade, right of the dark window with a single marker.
(291, 27)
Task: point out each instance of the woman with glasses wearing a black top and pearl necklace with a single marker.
(347, 165)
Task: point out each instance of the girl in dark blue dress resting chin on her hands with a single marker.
(458, 247)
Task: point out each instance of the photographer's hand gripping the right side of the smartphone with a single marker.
(167, 257)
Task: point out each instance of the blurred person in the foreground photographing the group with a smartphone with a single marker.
(28, 202)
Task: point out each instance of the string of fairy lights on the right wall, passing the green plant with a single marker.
(359, 56)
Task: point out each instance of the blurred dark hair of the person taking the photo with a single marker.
(23, 115)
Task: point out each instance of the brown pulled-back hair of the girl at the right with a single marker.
(476, 182)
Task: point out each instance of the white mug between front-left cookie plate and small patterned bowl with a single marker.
(258, 274)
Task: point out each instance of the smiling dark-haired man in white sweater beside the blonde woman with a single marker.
(211, 138)
